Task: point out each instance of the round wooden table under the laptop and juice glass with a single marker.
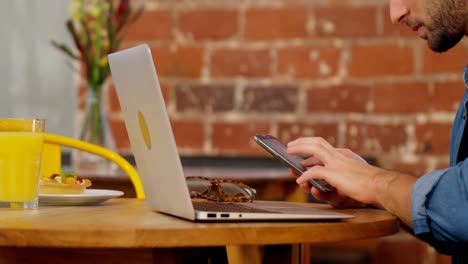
(129, 224)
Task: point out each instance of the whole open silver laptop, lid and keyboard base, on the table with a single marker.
(157, 159)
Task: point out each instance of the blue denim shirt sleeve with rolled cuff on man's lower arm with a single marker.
(439, 207)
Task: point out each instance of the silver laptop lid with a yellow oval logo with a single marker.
(150, 132)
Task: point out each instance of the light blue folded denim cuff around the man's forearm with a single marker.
(423, 186)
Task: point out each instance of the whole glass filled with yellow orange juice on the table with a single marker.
(21, 141)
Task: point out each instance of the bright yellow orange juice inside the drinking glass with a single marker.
(20, 158)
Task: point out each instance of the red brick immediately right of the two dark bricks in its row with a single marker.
(341, 98)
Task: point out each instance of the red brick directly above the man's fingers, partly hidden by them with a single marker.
(288, 132)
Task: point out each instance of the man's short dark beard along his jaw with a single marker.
(448, 25)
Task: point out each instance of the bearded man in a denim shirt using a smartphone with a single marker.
(435, 206)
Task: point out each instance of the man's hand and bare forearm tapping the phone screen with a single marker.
(357, 183)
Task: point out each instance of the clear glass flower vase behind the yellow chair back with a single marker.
(94, 128)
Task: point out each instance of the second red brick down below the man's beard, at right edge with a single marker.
(447, 95)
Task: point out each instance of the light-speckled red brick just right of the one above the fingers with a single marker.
(373, 139)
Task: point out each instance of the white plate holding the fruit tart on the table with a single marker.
(89, 197)
